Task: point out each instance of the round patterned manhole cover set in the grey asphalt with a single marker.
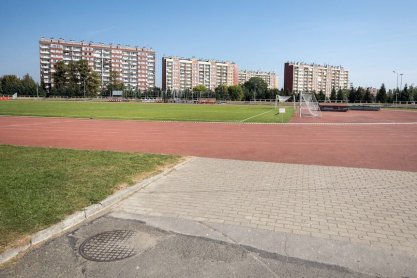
(108, 246)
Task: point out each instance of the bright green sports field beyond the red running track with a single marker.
(146, 111)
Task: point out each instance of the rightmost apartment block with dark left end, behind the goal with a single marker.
(300, 77)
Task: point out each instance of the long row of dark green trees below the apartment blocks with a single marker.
(76, 79)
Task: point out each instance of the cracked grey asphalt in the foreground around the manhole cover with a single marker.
(159, 253)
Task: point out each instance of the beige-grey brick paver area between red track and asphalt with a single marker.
(363, 206)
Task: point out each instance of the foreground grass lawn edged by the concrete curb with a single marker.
(40, 186)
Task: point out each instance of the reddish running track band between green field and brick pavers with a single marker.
(379, 146)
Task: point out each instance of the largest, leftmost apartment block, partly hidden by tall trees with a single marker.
(135, 66)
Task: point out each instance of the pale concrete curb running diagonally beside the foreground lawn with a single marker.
(84, 215)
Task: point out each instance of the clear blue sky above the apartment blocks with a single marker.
(369, 38)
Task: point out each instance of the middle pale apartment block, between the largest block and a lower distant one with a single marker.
(182, 74)
